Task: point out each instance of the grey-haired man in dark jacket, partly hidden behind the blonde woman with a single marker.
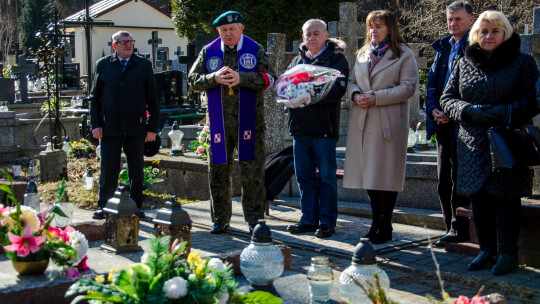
(449, 50)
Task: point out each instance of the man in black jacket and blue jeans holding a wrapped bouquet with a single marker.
(315, 132)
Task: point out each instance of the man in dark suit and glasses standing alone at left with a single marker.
(124, 115)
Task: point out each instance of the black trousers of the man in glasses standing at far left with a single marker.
(111, 149)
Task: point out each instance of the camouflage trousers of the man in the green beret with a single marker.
(251, 178)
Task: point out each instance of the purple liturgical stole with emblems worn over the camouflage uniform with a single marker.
(247, 62)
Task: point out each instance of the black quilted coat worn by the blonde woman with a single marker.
(506, 77)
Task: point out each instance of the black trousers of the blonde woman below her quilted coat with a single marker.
(494, 219)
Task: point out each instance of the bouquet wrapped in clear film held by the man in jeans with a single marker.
(305, 84)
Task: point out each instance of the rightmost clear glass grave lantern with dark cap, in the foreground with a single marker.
(362, 271)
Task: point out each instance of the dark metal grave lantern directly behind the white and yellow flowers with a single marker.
(174, 221)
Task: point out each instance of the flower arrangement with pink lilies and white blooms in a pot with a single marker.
(27, 236)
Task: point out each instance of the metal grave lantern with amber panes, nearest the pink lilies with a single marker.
(121, 223)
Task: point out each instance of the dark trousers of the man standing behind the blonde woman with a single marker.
(447, 174)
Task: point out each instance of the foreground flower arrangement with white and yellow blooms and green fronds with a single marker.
(164, 276)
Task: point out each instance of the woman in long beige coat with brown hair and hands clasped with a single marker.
(384, 77)
